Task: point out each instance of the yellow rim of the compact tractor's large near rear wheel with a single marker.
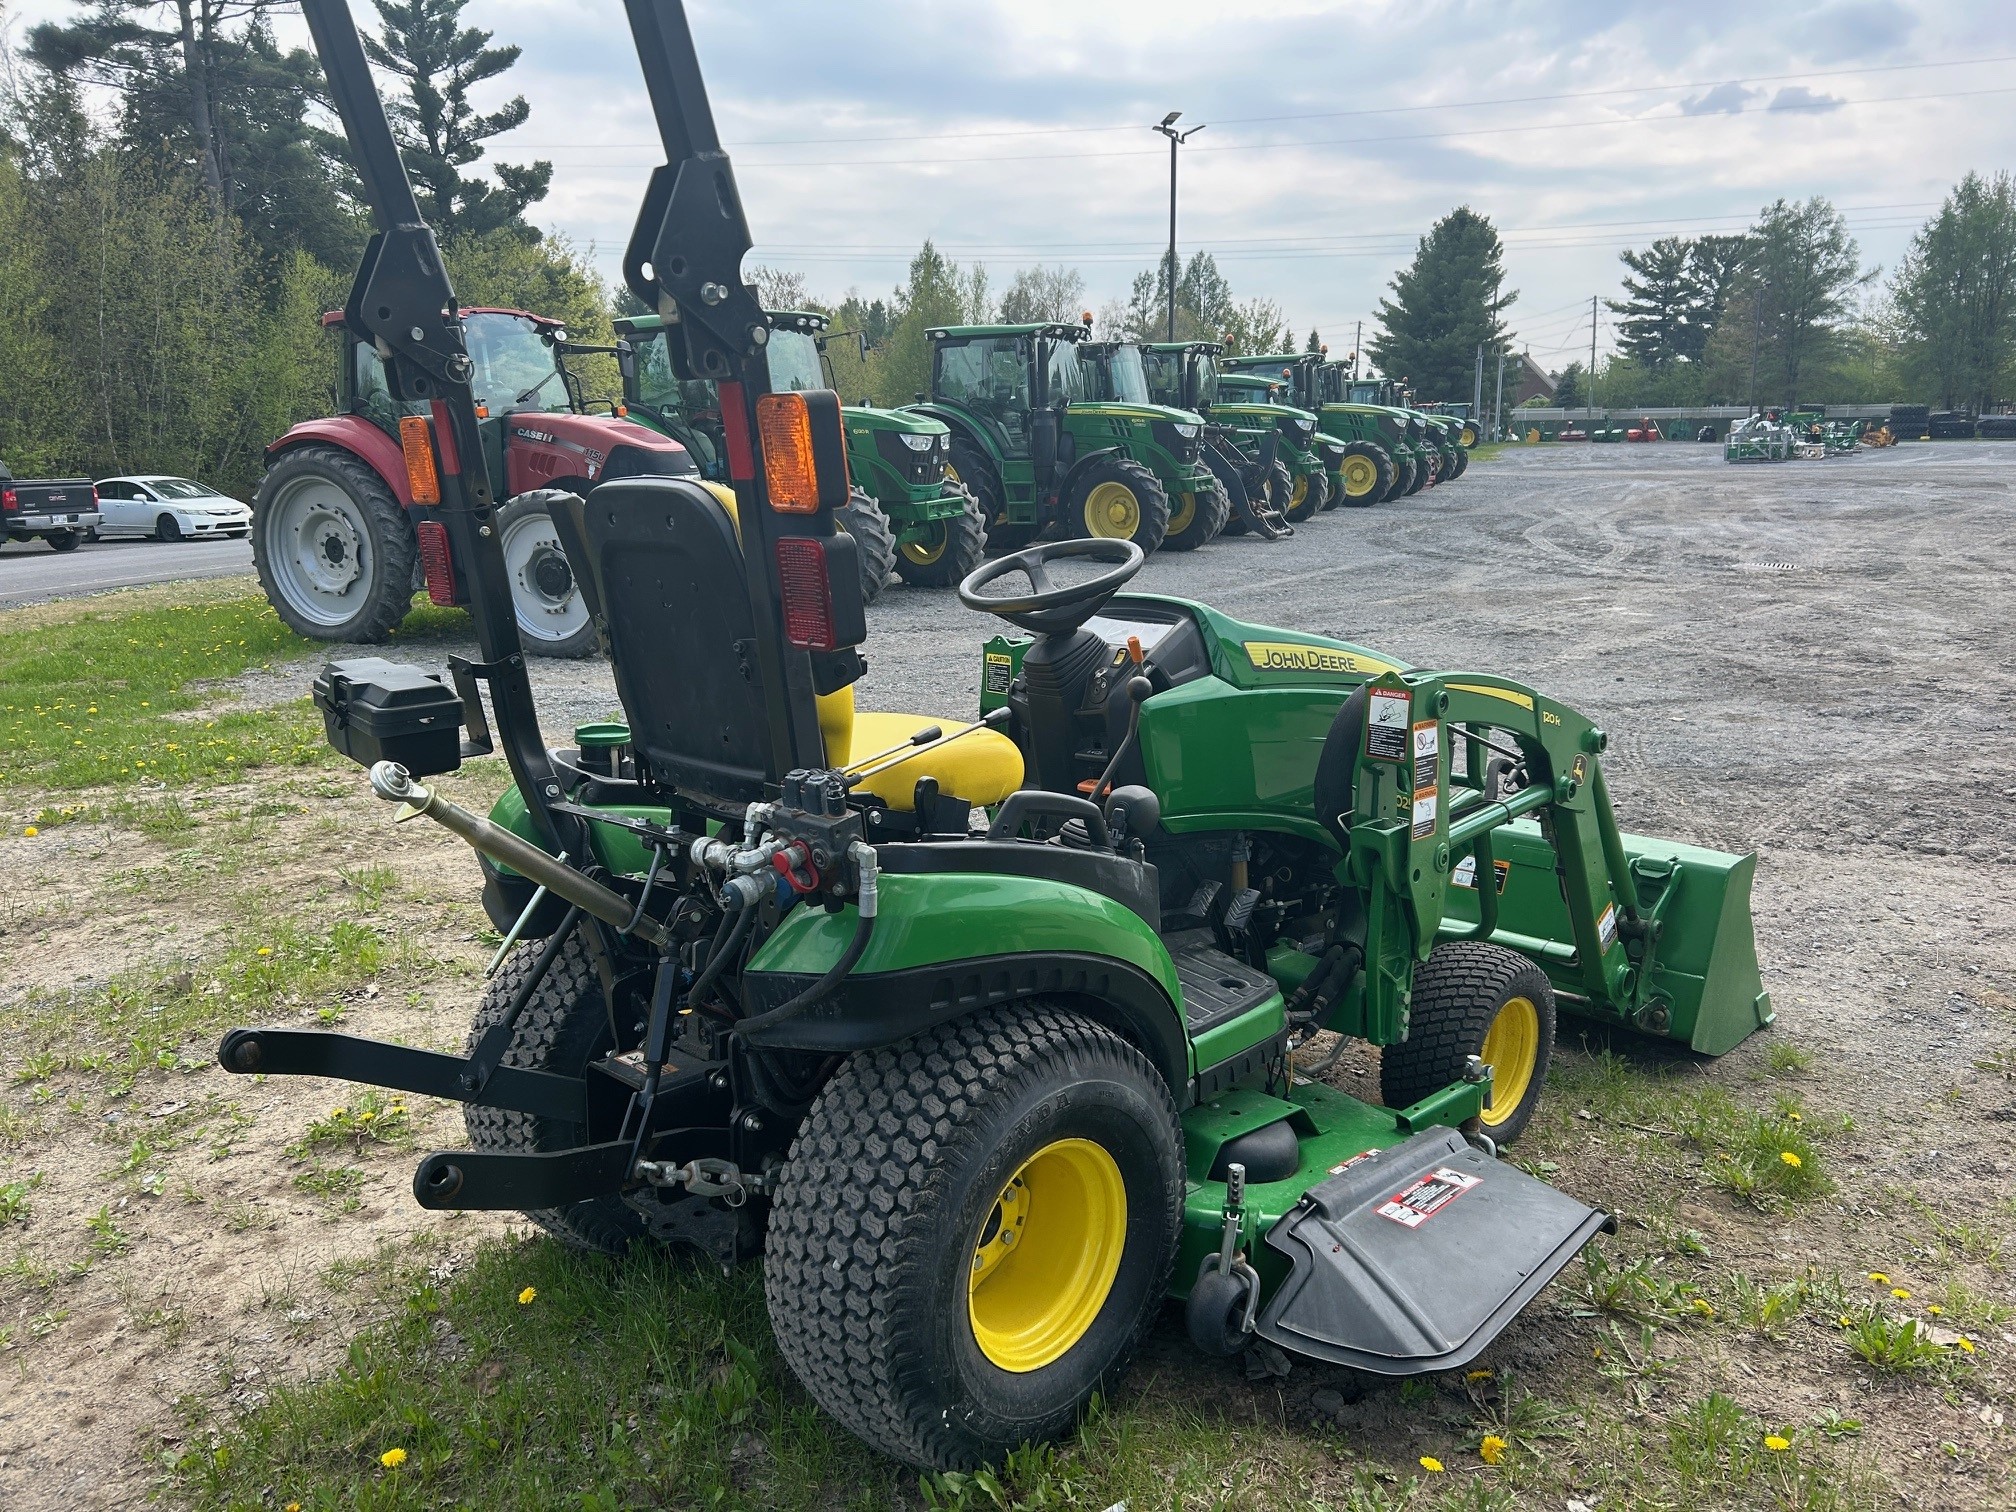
(1047, 1255)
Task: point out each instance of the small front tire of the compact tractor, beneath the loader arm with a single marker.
(1459, 995)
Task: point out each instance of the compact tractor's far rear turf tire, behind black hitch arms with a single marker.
(563, 1029)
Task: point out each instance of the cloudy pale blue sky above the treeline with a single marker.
(1019, 132)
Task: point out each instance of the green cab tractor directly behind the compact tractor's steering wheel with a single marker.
(1039, 451)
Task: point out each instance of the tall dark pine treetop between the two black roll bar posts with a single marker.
(440, 132)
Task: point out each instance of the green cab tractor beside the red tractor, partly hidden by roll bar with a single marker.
(930, 529)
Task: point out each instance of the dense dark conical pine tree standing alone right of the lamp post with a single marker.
(1446, 305)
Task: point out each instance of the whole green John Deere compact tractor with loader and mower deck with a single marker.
(987, 1037)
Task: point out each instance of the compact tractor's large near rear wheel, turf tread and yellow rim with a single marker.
(975, 1233)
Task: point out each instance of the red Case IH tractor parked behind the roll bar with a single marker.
(340, 525)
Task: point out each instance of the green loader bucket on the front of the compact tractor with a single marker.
(1700, 985)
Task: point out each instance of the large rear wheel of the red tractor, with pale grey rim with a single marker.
(334, 547)
